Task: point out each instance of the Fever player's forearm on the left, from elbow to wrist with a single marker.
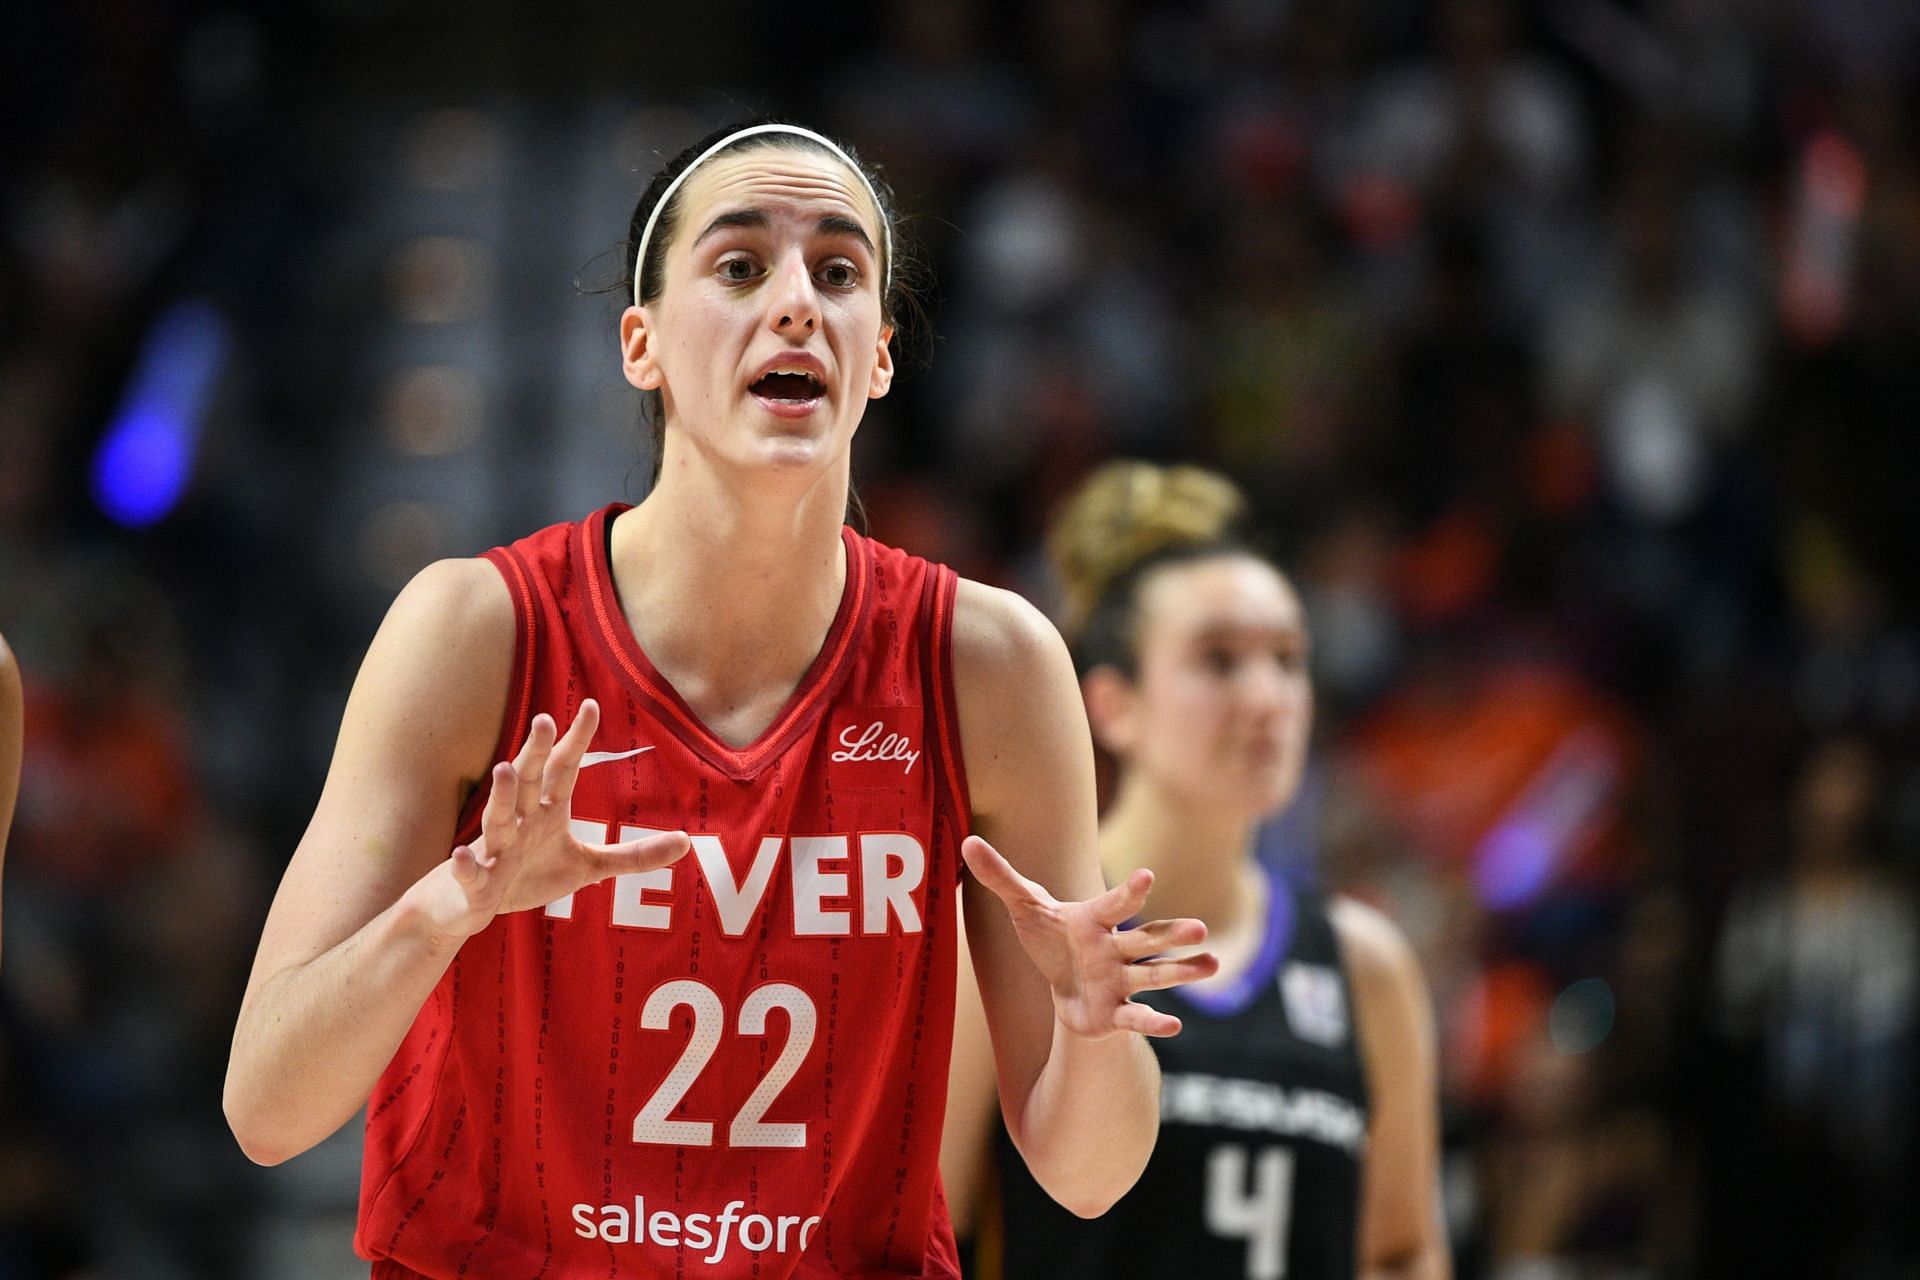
(314, 1039)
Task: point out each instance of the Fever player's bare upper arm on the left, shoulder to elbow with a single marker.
(416, 740)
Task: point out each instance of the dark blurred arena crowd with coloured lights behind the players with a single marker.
(1566, 346)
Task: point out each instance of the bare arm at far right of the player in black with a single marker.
(1401, 1220)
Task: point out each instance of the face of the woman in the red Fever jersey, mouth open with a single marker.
(767, 335)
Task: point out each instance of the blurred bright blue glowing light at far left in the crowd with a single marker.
(147, 454)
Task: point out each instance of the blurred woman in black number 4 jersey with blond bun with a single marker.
(1299, 1129)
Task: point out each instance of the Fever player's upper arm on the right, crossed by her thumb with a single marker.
(1030, 778)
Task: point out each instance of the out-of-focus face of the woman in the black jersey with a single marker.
(1222, 709)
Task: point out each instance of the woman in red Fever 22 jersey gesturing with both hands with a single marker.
(587, 1051)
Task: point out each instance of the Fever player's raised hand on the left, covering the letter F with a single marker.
(527, 853)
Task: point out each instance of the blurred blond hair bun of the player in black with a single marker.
(1126, 513)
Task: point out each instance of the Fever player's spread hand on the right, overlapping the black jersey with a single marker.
(1092, 964)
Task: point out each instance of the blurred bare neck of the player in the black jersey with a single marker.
(1203, 859)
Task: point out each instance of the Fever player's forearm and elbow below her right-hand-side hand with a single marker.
(1092, 1118)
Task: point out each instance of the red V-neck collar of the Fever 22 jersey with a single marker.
(817, 688)
